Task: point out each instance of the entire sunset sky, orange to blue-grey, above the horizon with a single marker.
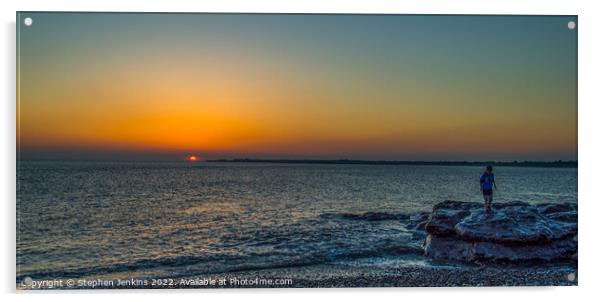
(382, 87)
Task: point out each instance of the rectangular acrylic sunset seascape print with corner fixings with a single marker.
(164, 150)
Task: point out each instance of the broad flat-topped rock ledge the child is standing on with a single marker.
(513, 232)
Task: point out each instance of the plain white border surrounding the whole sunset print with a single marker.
(589, 144)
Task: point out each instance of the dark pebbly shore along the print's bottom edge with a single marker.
(349, 276)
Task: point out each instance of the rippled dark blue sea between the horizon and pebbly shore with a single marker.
(180, 219)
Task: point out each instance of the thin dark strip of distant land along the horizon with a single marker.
(543, 164)
